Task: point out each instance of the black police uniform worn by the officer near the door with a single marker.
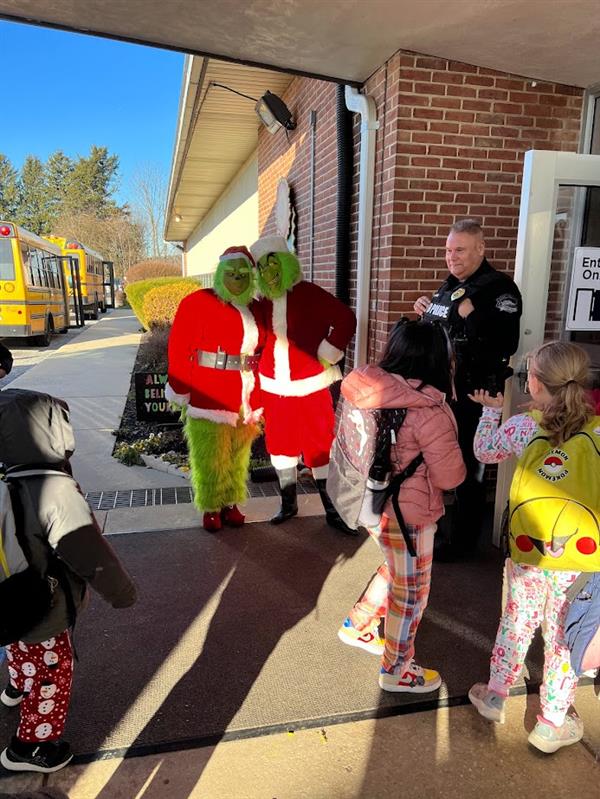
(484, 342)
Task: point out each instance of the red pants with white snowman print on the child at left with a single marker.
(43, 673)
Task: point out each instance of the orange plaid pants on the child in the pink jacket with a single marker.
(398, 591)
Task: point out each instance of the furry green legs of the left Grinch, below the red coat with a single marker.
(218, 472)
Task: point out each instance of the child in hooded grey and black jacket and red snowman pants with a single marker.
(60, 537)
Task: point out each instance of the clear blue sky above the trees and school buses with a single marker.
(70, 91)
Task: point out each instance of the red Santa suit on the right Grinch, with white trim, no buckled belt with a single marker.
(306, 324)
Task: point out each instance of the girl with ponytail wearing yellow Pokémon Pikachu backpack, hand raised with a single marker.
(557, 378)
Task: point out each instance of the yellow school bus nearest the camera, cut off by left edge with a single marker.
(33, 296)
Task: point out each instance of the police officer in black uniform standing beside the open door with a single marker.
(481, 308)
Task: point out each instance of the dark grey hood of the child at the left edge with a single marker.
(34, 428)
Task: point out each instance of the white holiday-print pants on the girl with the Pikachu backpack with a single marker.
(535, 597)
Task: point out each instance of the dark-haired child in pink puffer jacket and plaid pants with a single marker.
(415, 373)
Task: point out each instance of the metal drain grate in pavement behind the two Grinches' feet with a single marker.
(181, 495)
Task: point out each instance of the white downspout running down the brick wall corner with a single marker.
(365, 106)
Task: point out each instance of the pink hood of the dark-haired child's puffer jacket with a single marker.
(373, 387)
